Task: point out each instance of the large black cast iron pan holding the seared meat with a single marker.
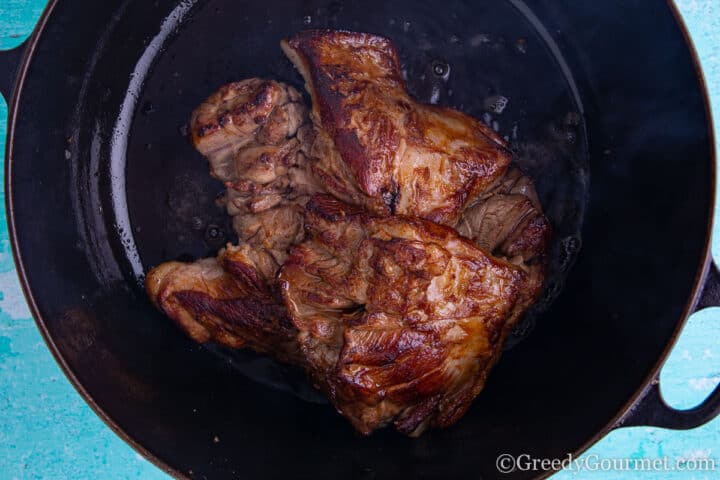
(101, 185)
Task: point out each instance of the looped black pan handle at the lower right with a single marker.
(651, 409)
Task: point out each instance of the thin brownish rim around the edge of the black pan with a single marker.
(27, 58)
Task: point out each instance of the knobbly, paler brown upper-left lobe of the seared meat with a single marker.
(253, 133)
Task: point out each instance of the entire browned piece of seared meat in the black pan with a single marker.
(397, 292)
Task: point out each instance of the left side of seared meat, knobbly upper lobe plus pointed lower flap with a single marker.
(252, 134)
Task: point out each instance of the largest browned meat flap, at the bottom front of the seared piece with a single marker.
(400, 319)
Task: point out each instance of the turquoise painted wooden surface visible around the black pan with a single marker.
(47, 431)
